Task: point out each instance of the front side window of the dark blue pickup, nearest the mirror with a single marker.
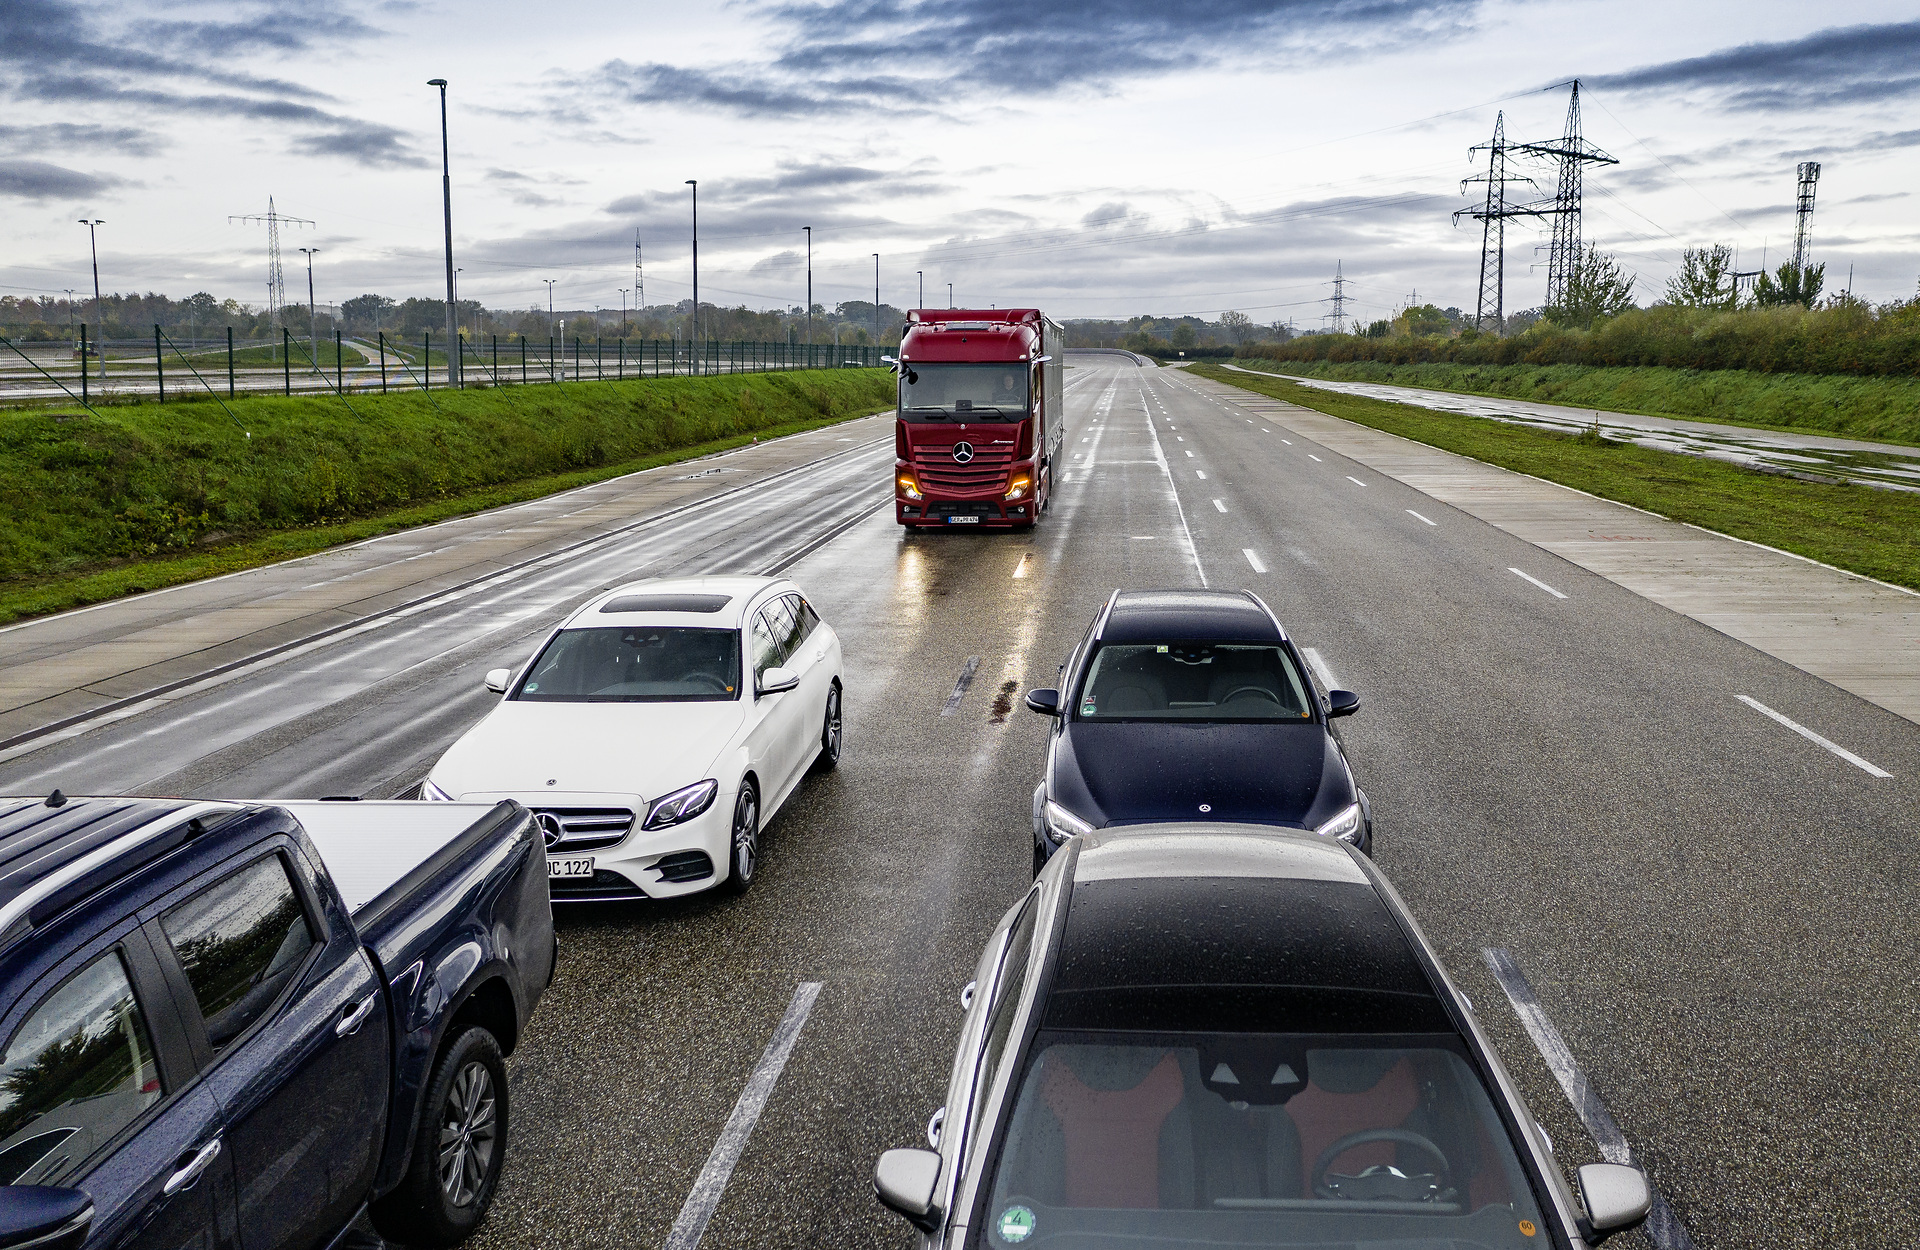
(76, 1074)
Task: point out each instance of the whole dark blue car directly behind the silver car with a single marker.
(1189, 706)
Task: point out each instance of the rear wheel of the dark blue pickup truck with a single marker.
(458, 1151)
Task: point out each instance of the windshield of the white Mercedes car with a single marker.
(636, 665)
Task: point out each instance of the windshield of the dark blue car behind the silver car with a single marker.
(1193, 683)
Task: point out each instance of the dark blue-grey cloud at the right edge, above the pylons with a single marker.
(1838, 66)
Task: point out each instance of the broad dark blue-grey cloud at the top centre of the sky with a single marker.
(915, 57)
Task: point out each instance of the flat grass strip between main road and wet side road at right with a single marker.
(1869, 531)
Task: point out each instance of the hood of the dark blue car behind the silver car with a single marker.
(1245, 773)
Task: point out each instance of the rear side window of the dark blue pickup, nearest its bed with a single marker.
(241, 942)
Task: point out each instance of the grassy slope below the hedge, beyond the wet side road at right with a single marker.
(1884, 410)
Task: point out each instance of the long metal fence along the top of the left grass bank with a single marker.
(162, 368)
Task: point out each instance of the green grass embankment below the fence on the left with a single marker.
(149, 496)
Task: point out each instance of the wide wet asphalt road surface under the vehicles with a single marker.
(1716, 913)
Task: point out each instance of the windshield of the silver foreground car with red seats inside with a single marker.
(1257, 1142)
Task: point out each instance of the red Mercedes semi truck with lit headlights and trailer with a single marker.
(982, 418)
